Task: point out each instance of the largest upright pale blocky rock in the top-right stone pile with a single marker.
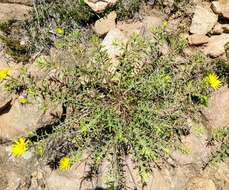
(203, 20)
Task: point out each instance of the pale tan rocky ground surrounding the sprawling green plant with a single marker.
(207, 31)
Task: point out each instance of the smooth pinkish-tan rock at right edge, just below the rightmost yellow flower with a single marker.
(217, 112)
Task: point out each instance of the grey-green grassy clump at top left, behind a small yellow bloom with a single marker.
(50, 17)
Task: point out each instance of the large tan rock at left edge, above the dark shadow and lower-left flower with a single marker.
(21, 119)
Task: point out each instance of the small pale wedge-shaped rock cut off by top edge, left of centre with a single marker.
(100, 5)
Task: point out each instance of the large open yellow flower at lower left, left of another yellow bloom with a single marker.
(20, 147)
